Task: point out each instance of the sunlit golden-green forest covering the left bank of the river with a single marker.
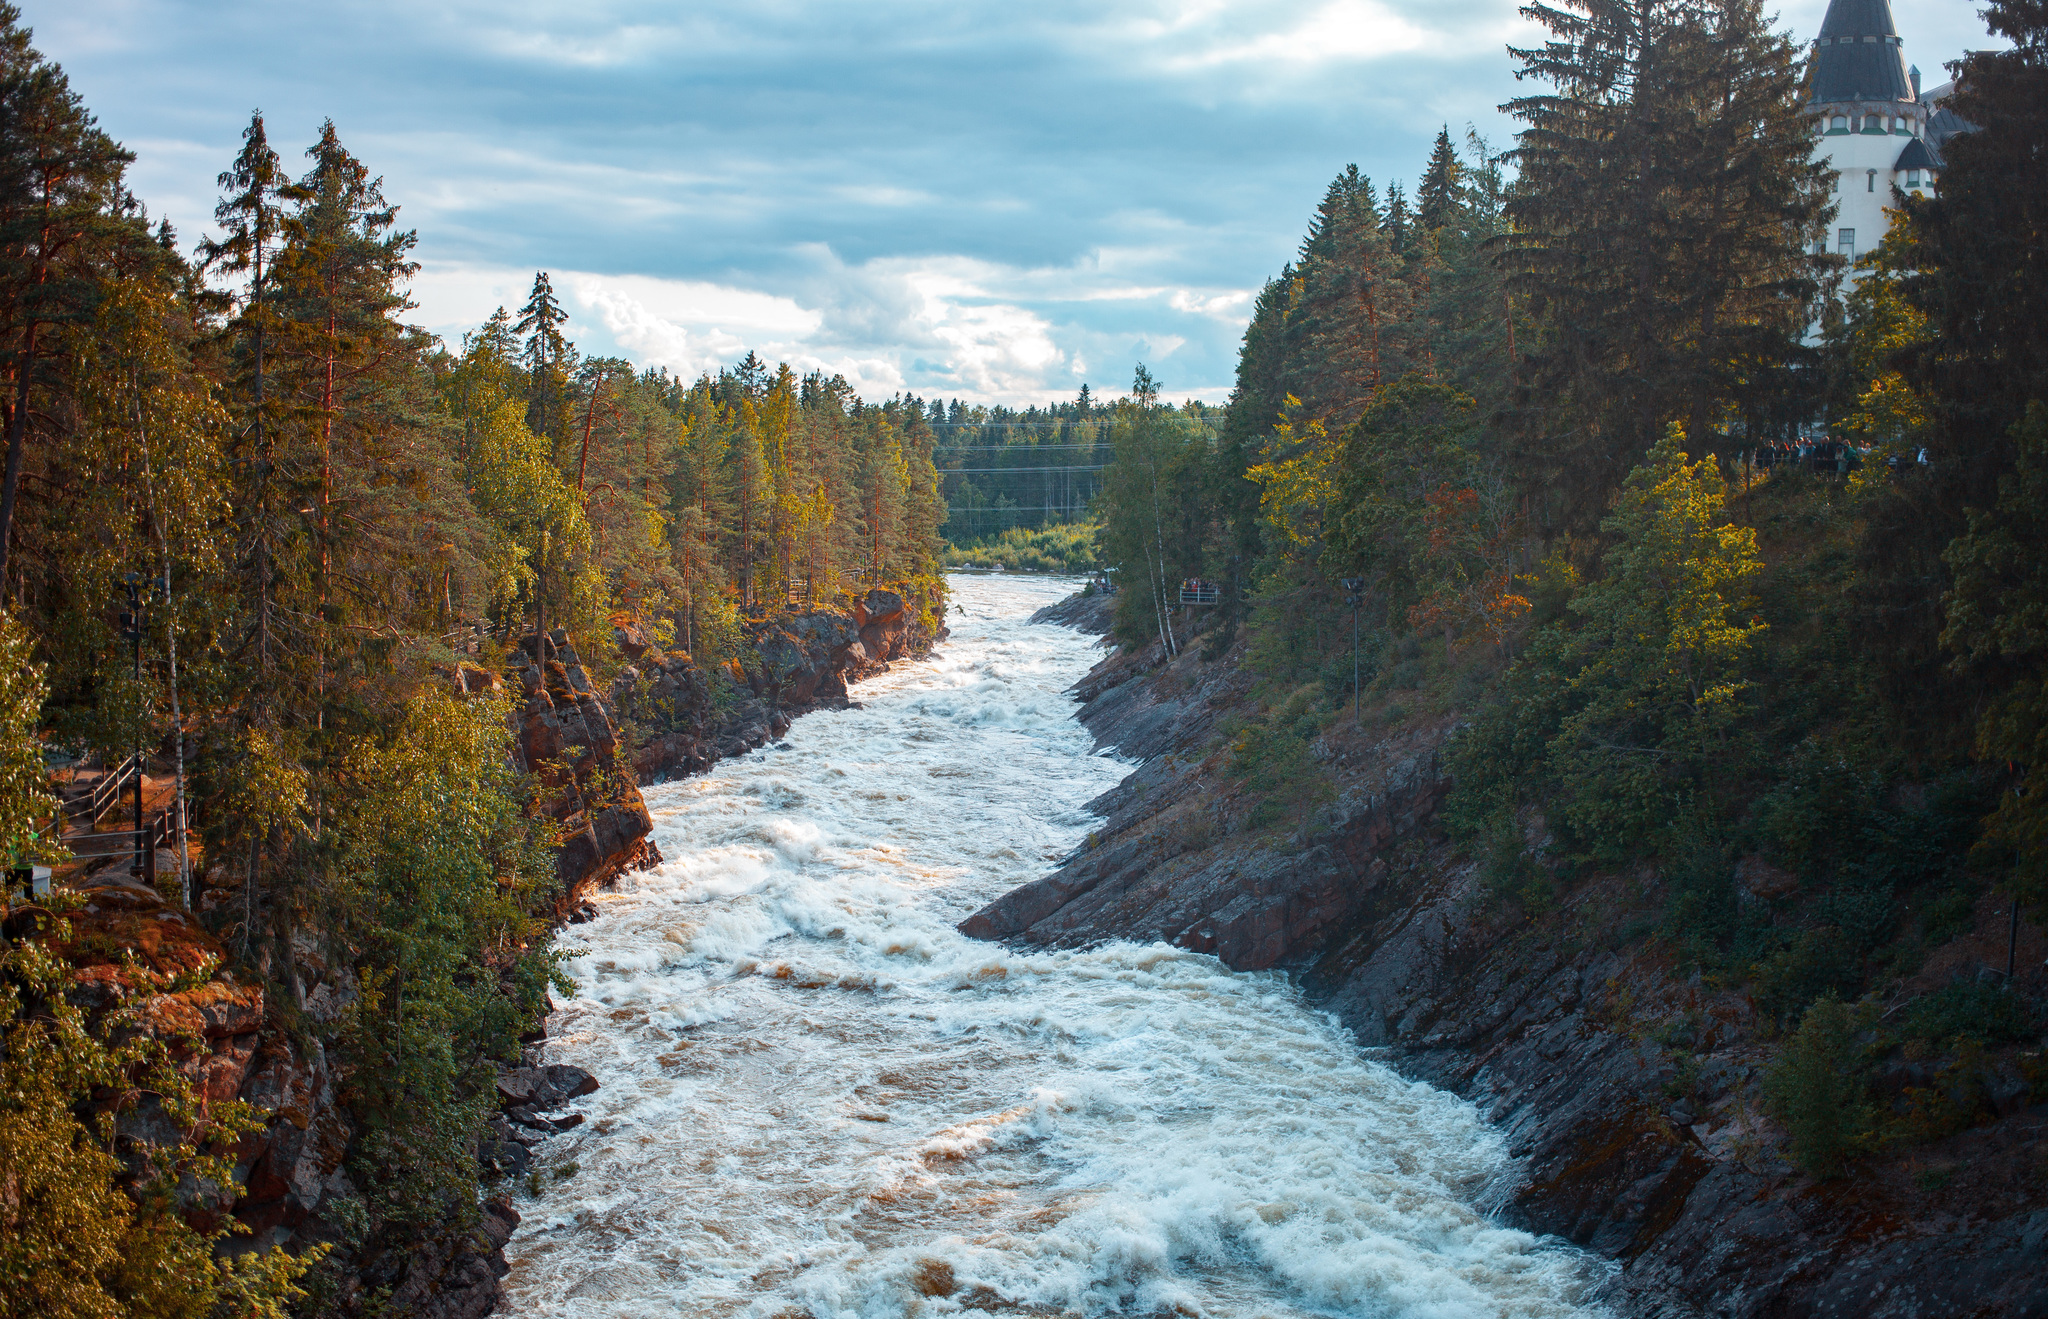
(345, 536)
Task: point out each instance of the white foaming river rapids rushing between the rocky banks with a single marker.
(822, 1101)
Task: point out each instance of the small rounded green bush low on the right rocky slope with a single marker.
(1820, 1089)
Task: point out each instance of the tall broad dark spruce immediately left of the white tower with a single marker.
(1660, 228)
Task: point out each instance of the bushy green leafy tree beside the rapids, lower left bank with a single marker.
(433, 867)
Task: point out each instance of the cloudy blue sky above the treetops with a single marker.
(972, 200)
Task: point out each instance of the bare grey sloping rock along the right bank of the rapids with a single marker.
(1629, 1093)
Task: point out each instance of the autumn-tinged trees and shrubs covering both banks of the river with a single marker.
(1764, 740)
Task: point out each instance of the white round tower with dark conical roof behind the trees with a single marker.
(1869, 118)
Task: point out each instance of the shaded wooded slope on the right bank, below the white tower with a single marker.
(1766, 738)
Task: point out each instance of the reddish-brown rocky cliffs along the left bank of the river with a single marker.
(234, 1039)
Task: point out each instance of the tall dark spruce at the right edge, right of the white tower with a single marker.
(1983, 286)
